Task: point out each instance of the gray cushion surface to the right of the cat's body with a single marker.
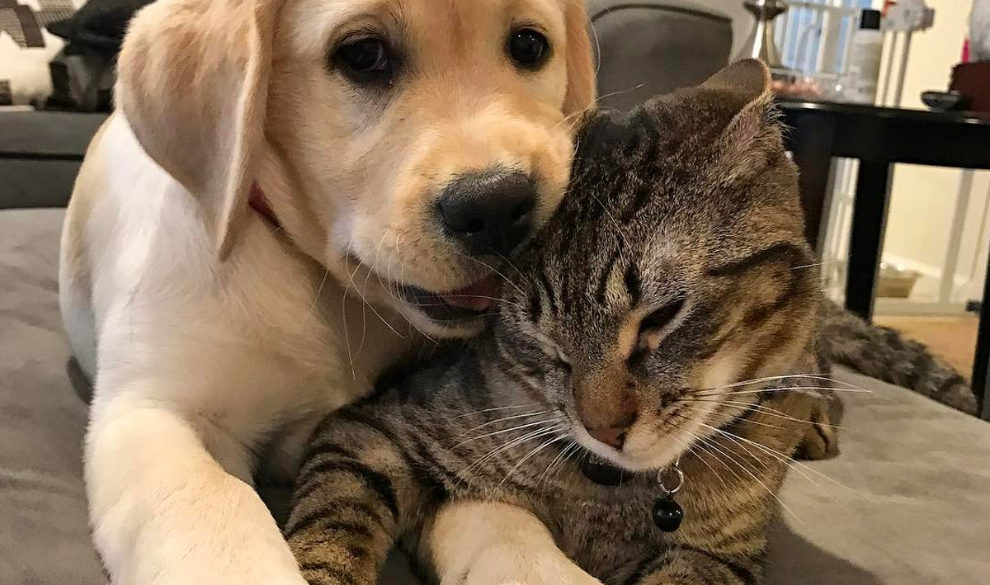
(907, 502)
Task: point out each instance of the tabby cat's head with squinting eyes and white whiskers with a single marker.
(676, 267)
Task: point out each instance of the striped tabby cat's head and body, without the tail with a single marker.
(668, 312)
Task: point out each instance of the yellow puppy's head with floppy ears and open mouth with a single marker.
(407, 145)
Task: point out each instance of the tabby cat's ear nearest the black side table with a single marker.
(753, 135)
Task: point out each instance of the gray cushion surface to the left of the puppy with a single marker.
(44, 535)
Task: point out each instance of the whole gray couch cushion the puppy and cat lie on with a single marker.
(906, 503)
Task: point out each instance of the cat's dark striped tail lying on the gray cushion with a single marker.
(883, 353)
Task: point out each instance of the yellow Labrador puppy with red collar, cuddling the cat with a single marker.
(292, 195)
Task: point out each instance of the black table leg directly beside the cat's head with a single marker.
(811, 141)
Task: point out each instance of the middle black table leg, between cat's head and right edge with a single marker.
(866, 240)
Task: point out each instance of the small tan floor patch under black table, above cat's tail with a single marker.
(953, 338)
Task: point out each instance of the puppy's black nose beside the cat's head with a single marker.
(489, 212)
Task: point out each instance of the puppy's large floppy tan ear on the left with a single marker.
(193, 85)
